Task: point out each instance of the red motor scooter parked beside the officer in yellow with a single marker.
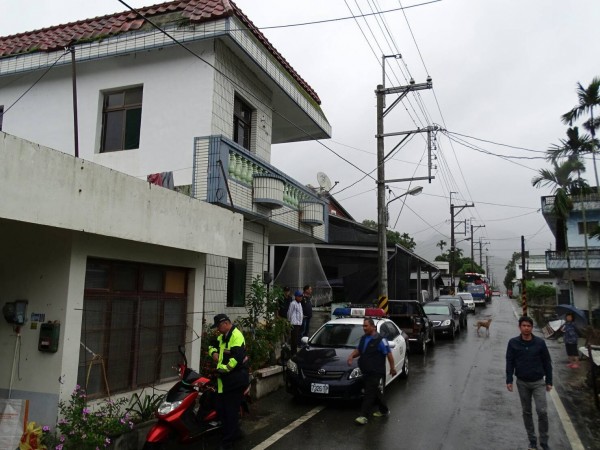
(188, 410)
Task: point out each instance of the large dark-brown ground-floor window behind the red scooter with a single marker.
(134, 317)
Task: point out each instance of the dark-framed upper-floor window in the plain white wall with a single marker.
(121, 119)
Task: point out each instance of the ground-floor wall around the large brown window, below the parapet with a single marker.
(46, 266)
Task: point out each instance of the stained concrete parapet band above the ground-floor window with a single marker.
(43, 186)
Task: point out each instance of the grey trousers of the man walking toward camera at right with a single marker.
(535, 390)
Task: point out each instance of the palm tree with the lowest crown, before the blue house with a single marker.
(562, 182)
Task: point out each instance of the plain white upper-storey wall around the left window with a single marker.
(177, 106)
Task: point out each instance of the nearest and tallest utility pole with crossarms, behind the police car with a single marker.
(381, 92)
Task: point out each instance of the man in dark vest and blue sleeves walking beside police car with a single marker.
(372, 350)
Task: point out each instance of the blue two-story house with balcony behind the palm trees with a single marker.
(575, 267)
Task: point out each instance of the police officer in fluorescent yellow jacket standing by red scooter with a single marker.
(232, 369)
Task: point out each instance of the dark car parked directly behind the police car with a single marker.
(412, 319)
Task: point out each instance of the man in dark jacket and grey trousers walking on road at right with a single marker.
(528, 358)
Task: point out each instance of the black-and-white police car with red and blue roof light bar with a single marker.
(320, 368)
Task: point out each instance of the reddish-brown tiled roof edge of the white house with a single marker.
(196, 11)
